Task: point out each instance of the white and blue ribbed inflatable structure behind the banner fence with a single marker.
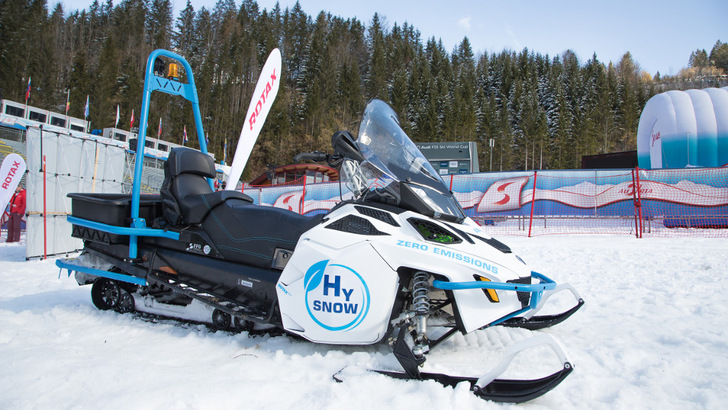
(681, 129)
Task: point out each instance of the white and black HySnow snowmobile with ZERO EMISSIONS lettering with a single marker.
(398, 263)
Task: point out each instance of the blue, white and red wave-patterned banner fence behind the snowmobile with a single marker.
(659, 203)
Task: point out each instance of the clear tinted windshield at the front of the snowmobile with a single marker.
(394, 169)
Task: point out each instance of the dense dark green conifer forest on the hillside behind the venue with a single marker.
(543, 112)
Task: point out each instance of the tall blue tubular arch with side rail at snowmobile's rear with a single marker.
(169, 86)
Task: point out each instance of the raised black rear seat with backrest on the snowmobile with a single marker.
(186, 194)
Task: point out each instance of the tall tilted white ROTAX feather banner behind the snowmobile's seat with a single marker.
(263, 97)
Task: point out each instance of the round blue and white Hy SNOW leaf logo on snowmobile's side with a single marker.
(337, 298)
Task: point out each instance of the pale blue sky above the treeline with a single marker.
(660, 35)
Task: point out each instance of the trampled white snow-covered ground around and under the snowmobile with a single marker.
(653, 334)
